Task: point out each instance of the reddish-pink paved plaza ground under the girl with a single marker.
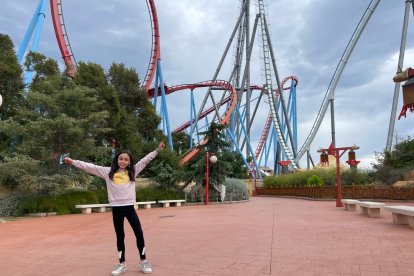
(266, 236)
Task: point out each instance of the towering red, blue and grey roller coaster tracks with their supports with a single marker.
(235, 107)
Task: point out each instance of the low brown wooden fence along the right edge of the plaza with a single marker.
(330, 192)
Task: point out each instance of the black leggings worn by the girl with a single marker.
(118, 215)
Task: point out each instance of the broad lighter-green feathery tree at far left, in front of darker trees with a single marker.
(58, 116)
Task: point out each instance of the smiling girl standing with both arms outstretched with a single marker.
(120, 184)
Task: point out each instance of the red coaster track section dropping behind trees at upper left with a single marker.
(62, 37)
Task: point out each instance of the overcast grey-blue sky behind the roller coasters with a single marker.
(308, 37)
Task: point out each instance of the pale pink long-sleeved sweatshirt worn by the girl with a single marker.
(120, 194)
